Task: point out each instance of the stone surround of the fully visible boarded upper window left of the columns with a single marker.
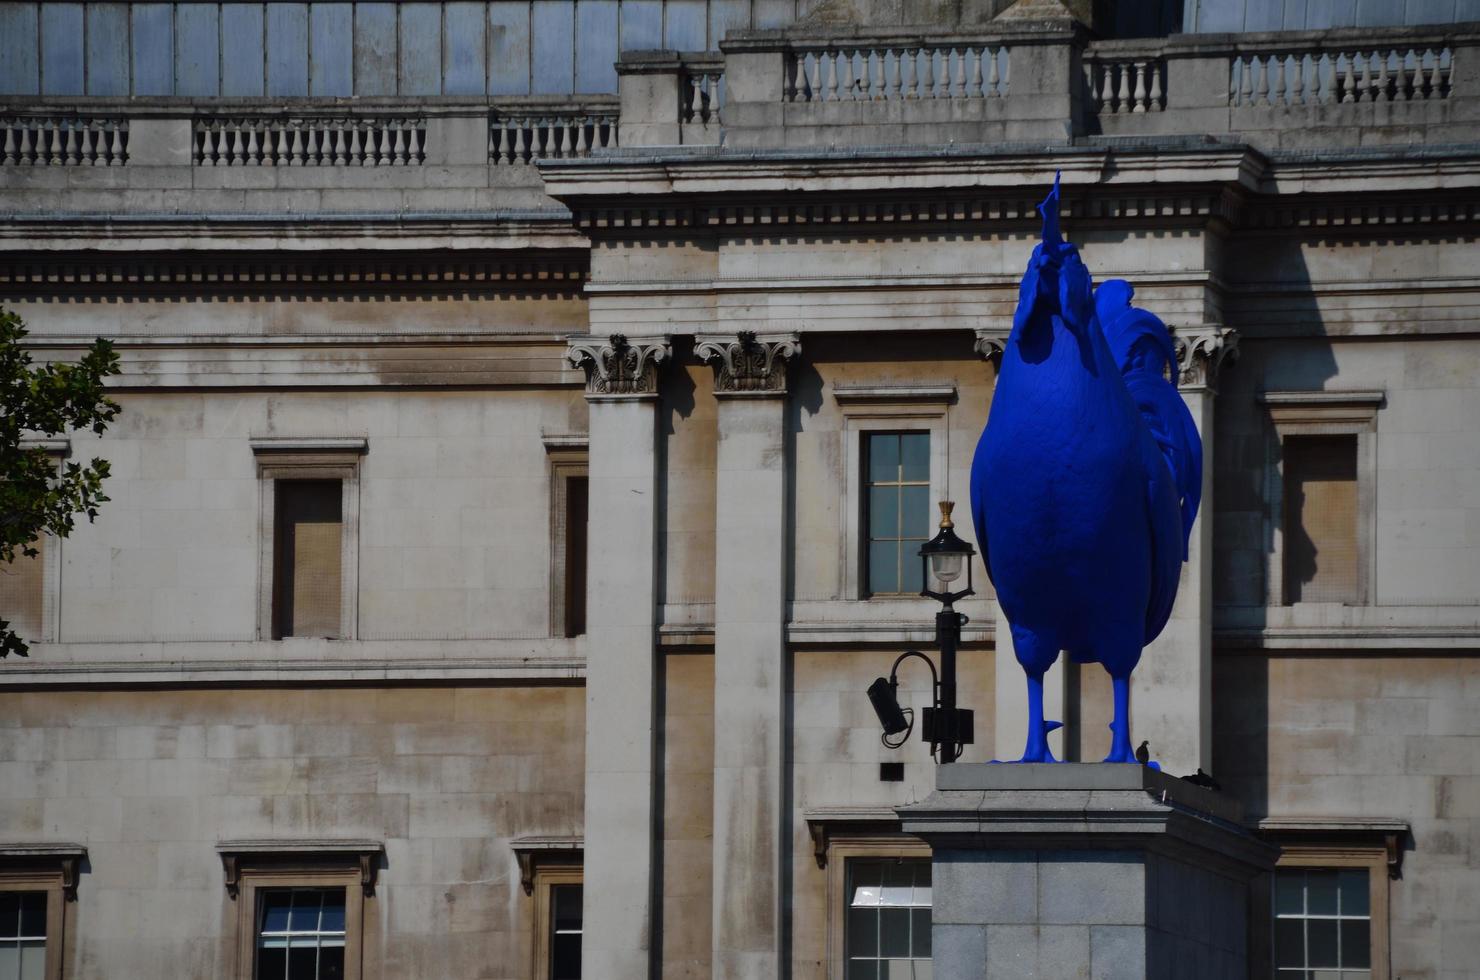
(282, 458)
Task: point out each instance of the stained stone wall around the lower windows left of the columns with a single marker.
(152, 781)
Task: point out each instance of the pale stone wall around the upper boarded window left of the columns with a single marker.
(454, 535)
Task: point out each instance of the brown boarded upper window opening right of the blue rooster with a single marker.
(1321, 519)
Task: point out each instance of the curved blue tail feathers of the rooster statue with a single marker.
(1143, 350)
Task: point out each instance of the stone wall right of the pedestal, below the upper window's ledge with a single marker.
(1370, 736)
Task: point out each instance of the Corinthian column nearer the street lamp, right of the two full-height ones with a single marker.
(751, 384)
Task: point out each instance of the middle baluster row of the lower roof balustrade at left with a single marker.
(310, 141)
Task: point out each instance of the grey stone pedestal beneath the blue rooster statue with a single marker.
(1086, 871)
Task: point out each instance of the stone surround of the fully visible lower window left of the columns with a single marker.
(252, 867)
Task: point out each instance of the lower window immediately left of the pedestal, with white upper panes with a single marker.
(887, 935)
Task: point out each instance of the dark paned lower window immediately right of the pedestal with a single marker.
(1322, 924)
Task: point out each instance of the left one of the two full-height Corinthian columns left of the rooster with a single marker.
(621, 676)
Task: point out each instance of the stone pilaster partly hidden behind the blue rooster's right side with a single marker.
(1171, 694)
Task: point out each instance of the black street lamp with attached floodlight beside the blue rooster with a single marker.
(946, 728)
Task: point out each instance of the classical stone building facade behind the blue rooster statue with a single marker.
(529, 411)
